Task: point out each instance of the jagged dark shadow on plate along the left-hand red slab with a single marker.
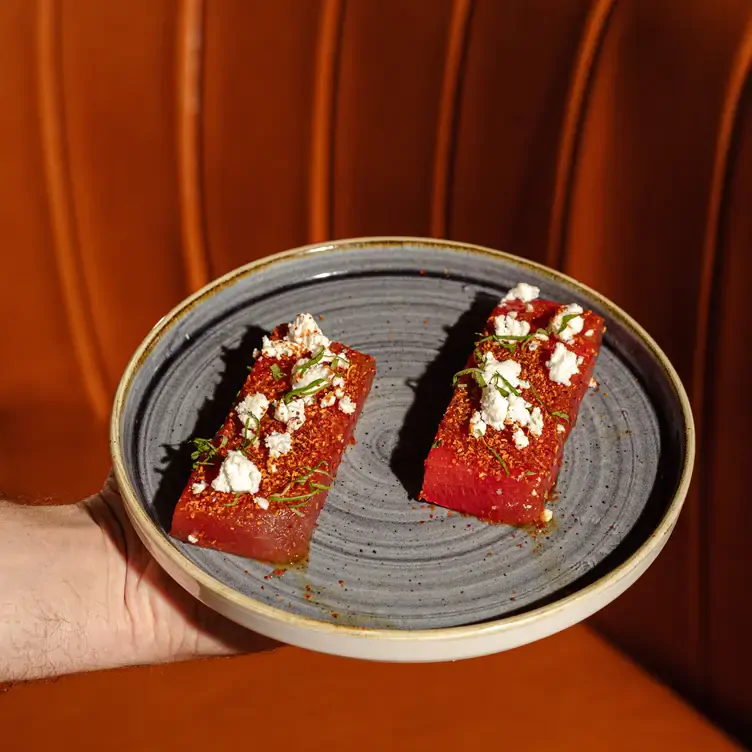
(176, 462)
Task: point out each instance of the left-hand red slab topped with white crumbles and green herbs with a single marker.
(258, 486)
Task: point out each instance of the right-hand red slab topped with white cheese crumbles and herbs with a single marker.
(500, 443)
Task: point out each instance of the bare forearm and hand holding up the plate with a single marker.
(78, 592)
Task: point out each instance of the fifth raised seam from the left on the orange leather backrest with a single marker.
(594, 32)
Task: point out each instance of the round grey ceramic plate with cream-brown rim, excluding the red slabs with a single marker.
(388, 577)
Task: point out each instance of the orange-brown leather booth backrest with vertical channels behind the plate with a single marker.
(150, 145)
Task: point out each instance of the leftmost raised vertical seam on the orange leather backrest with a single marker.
(62, 211)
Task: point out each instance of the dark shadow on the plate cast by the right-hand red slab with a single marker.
(433, 391)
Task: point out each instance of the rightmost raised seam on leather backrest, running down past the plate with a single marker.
(740, 71)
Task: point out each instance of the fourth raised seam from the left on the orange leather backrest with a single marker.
(446, 131)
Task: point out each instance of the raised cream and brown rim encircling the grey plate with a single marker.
(159, 544)
